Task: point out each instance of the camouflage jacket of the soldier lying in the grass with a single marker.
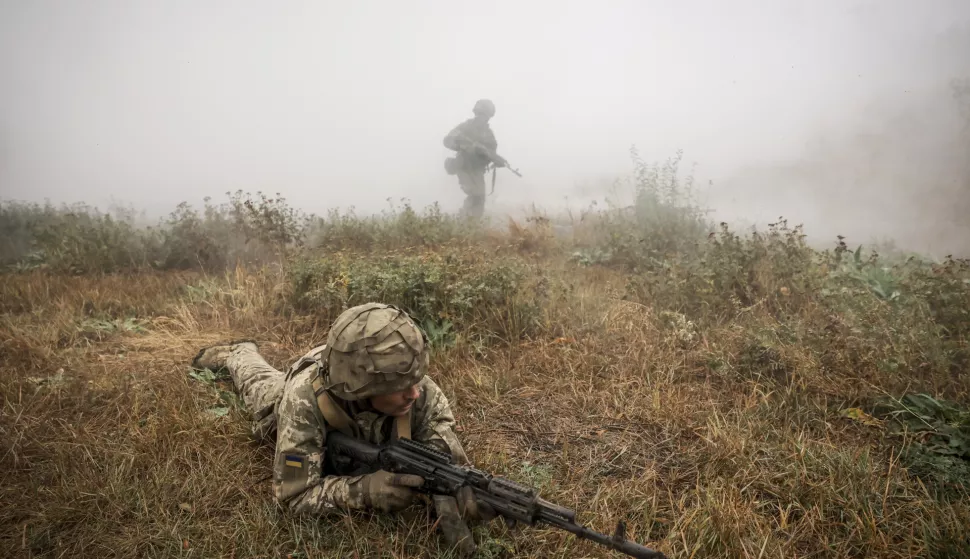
(299, 479)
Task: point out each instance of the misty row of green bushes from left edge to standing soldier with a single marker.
(247, 229)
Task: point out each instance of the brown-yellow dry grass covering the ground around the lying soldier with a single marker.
(615, 409)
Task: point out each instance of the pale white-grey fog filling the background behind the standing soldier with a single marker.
(837, 114)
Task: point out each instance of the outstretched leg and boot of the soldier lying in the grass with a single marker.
(258, 383)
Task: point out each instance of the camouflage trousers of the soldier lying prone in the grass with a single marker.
(258, 383)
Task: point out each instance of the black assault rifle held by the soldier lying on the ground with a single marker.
(512, 501)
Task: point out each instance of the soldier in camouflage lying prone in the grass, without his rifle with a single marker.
(369, 382)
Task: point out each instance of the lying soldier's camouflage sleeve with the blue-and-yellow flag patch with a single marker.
(298, 480)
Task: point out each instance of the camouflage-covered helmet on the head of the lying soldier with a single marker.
(373, 349)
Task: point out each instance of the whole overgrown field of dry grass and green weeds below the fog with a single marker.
(727, 394)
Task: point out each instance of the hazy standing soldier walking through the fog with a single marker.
(475, 145)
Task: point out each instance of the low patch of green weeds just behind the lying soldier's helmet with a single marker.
(467, 291)
